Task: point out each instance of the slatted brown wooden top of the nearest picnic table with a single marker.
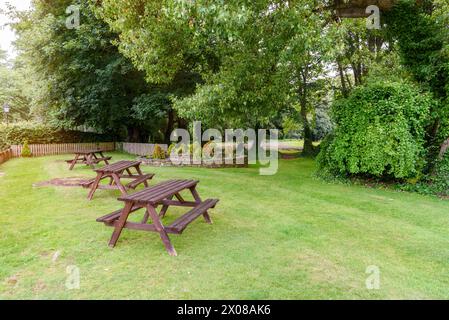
(159, 192)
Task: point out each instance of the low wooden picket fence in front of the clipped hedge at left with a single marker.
(53, 149)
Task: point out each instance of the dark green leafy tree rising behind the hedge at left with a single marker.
(81, 78)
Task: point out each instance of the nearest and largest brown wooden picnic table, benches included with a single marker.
(150, 199)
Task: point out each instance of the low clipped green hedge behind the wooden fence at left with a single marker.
(42, 134)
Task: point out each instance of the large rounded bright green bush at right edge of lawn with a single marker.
(380, 132)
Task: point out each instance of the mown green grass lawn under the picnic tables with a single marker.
(287, 236)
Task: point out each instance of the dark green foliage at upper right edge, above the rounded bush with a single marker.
(423, 40)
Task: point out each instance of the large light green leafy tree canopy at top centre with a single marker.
(252, 58)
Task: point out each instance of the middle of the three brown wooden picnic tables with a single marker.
(115, 173)
